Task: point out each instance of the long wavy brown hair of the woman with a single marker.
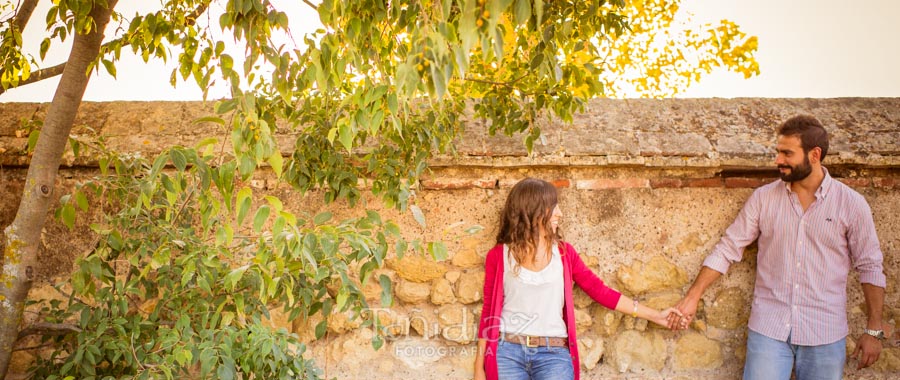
(525, 216)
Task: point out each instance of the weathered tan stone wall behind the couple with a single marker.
(647, 188)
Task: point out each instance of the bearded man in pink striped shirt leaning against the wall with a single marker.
(811, 230)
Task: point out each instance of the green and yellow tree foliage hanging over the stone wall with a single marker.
(190, 259)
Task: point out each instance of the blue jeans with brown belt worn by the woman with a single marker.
(517, 362)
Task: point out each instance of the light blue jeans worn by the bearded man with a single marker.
(770, 359)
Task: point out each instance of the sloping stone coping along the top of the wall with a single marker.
(648, 133)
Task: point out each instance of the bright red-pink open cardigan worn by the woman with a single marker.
(574, 270)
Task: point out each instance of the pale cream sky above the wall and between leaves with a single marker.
(807, 48)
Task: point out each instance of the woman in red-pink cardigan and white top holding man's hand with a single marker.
(527, 327)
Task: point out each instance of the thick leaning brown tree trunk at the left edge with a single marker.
(22, 237)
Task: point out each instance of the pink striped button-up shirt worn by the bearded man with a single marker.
(804, 259)
